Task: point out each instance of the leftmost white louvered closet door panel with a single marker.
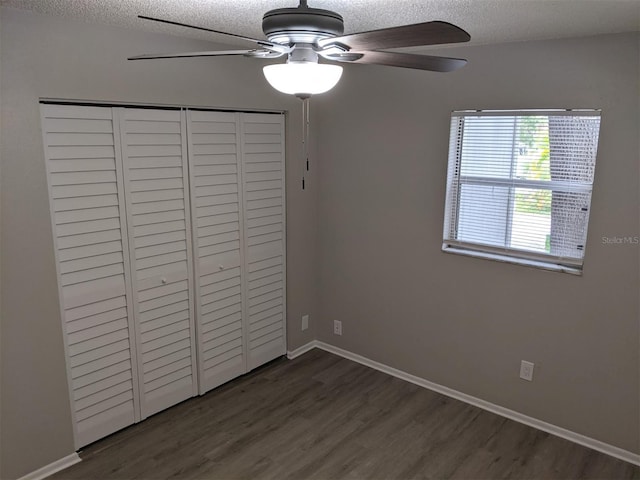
(86, 195)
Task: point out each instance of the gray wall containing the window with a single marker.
(462, 322)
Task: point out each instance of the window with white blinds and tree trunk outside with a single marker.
(519, 185)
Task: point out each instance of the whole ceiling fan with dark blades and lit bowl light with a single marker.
(306, 35)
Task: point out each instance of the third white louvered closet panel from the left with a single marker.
(216, 197)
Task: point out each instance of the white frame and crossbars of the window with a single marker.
(455, 181)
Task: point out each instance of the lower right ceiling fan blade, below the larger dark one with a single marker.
(405, 60)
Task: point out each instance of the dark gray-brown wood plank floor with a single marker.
(323, 417)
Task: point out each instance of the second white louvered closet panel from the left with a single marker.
(156, 183)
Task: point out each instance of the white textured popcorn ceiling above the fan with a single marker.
(488, 21)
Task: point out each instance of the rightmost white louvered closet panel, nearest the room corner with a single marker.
(262, 140)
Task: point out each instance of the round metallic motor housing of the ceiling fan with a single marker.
(301, 25)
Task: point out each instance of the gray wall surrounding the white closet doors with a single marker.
(47, 57)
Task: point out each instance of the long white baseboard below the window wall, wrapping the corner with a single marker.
(491, 407)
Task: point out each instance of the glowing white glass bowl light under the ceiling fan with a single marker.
(303, 78)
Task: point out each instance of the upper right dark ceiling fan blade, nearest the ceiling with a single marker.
(419, 34)
